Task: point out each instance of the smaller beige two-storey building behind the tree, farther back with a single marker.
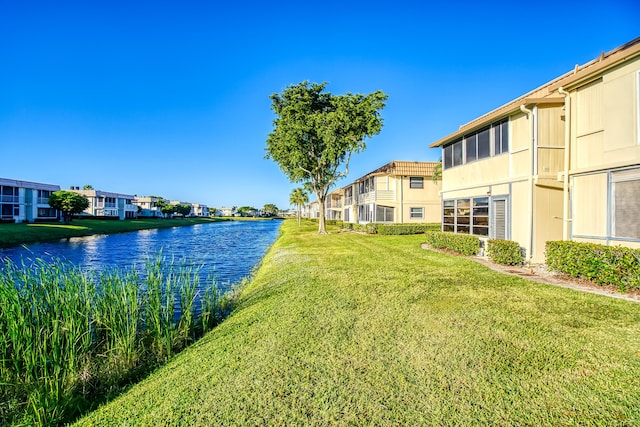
(398, 192)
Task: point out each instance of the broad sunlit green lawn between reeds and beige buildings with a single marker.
(329, 333)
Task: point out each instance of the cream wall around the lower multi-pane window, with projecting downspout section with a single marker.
(523, 181)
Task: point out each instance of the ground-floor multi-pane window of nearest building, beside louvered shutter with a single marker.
(468, 216)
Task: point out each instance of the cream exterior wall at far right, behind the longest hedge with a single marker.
(605, 143)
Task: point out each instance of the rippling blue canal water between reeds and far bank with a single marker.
(228, 249)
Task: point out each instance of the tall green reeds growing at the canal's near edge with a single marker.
(69, 338)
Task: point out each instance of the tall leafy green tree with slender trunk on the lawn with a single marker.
(316, 132)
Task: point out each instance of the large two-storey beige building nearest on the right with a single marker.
(560, 162)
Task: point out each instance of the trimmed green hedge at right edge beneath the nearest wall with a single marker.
(604, 265)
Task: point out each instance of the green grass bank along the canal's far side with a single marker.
(18, 234)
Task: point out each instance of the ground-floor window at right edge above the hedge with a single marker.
(625, 188)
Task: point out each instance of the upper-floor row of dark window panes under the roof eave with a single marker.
(490, 141)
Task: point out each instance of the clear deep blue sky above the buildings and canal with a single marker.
(172, 98)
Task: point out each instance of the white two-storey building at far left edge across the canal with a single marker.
(24, 201)
